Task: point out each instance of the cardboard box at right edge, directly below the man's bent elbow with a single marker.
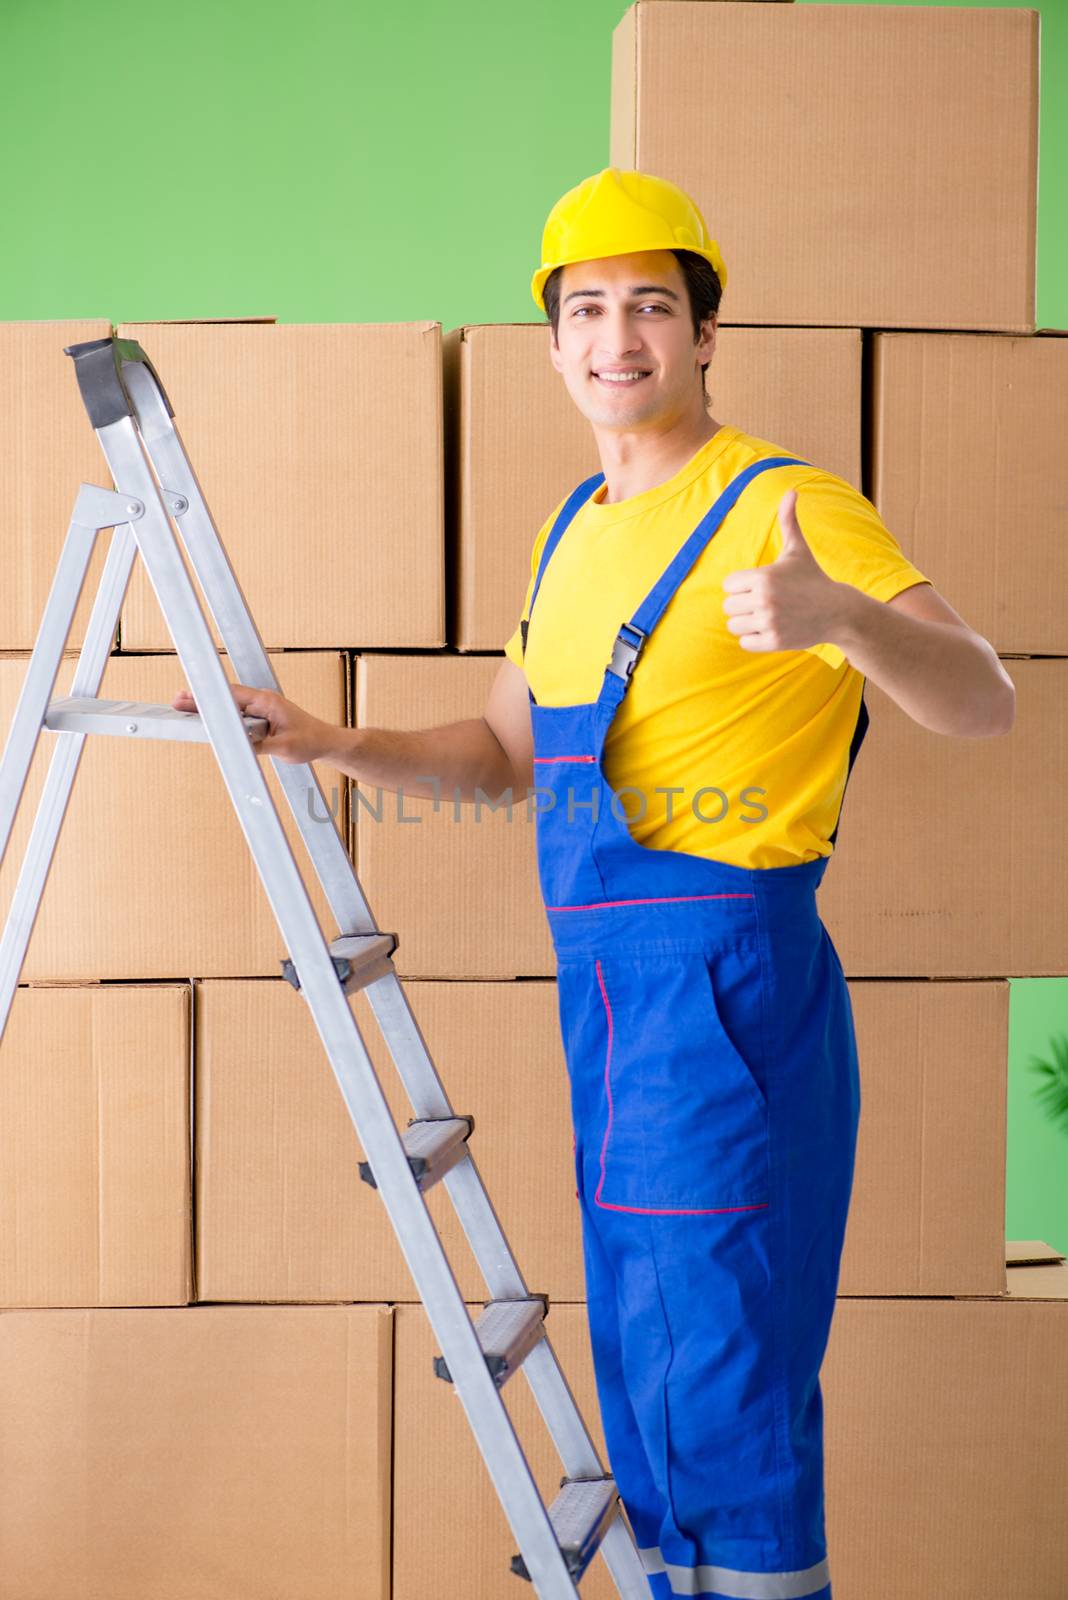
(947, 844)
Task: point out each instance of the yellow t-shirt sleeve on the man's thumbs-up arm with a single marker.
(851, 543)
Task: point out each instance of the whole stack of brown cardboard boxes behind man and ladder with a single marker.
(217, 1374)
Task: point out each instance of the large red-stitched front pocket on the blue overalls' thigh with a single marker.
(683, 1119)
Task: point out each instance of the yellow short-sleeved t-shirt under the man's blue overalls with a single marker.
(755, 745)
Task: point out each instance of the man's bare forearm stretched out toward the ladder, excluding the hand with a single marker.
(461, 758)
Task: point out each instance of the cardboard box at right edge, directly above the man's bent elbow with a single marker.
(970, 471)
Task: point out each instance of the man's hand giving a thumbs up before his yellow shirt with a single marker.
(787, 604)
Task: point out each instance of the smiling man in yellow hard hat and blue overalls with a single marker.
(698, 630)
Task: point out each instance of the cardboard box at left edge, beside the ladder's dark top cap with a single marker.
(47, 452)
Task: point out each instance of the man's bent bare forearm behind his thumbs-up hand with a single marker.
(947, 678)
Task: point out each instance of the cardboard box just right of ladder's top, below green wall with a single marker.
(319, 450)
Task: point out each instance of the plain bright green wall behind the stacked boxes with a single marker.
(343, 162)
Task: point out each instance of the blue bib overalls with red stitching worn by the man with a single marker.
(715, 1097)
